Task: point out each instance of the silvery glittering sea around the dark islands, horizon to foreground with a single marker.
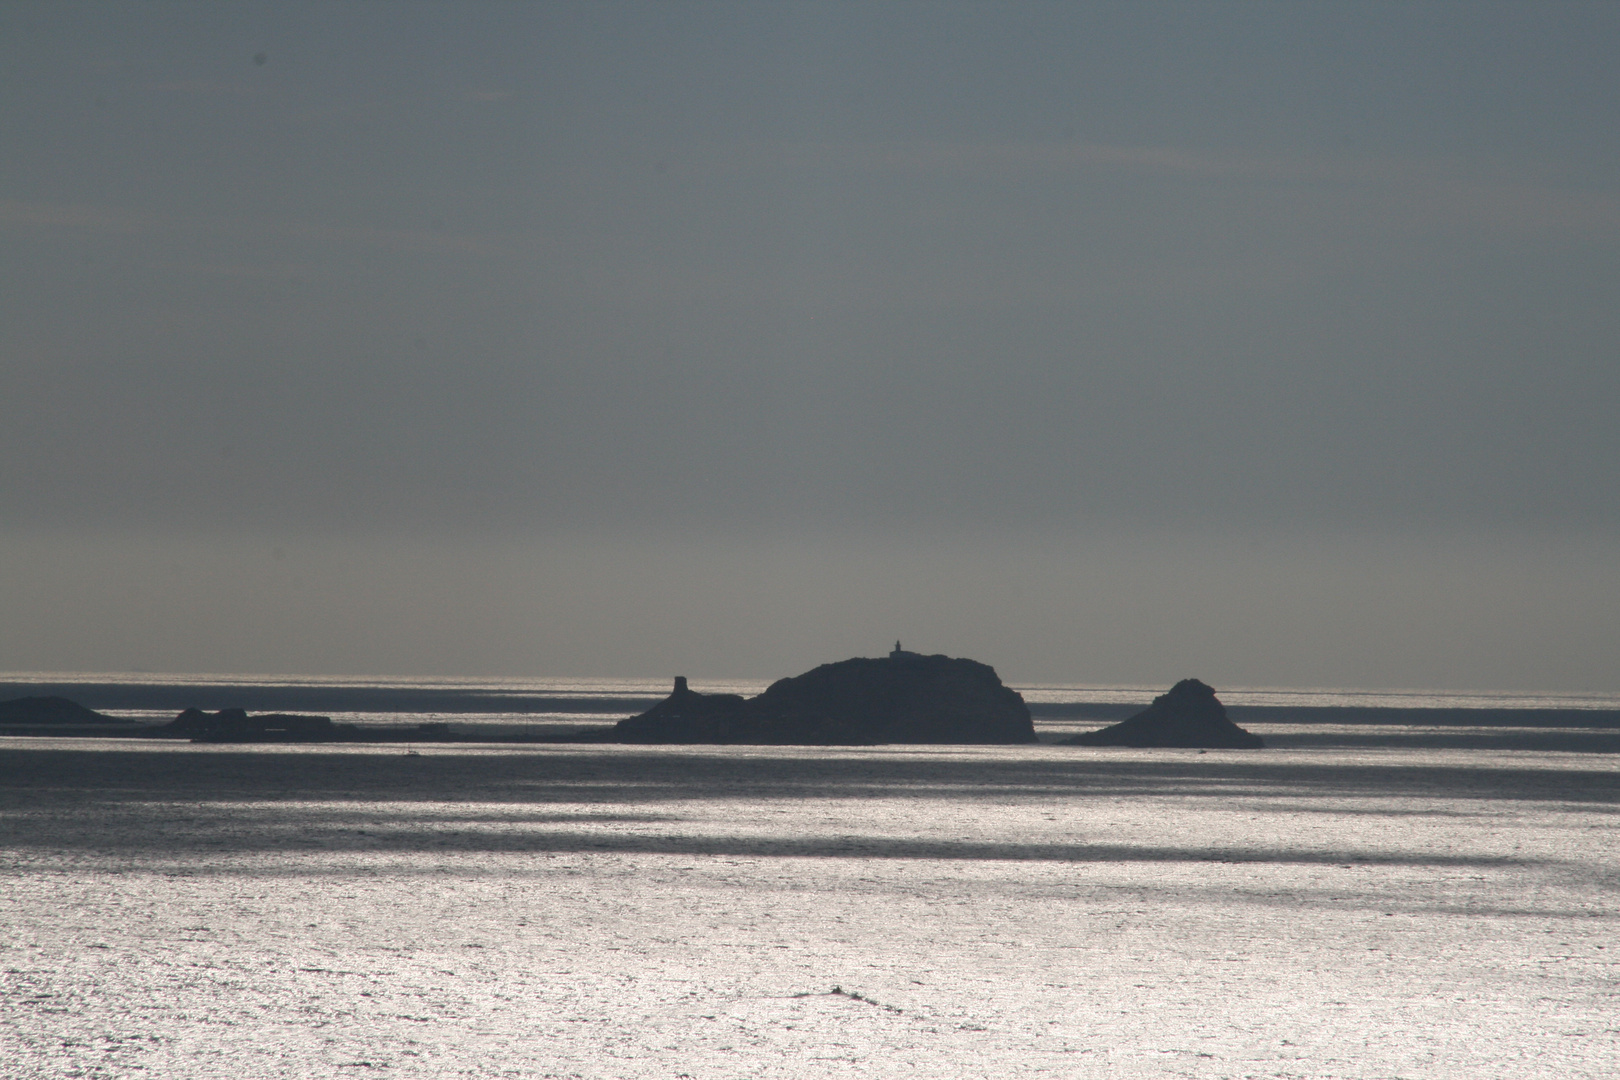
(1400, 885)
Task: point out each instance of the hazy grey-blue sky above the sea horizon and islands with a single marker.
(1268, 344)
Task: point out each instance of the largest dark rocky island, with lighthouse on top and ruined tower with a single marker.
(902, 699)
